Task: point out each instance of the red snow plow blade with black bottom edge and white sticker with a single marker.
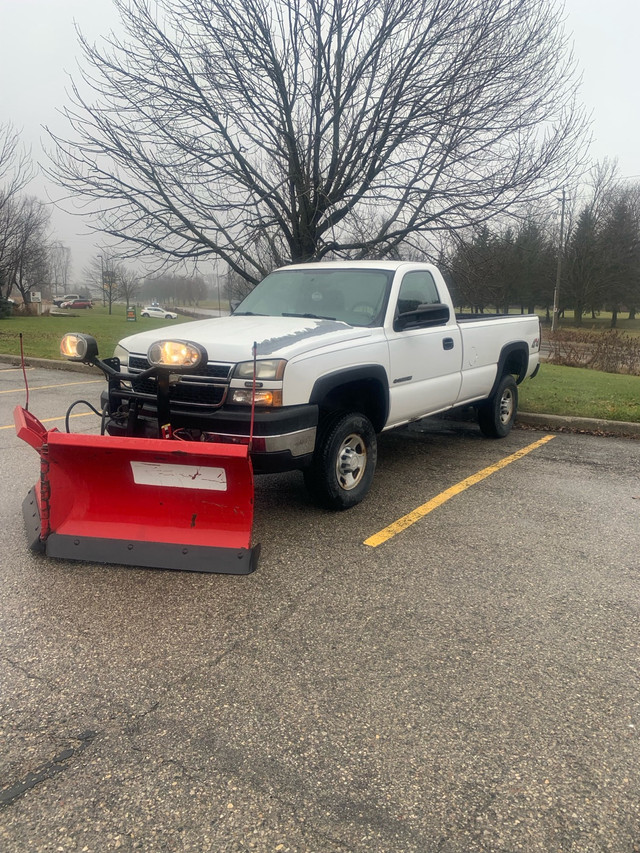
(140, 501)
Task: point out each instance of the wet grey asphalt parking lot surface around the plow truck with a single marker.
(469, 684)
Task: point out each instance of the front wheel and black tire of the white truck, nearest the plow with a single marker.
(344, 462)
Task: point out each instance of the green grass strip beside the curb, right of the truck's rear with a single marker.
(582, 393)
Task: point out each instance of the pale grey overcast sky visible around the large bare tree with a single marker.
(39, 48)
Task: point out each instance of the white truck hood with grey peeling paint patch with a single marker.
(231, 339)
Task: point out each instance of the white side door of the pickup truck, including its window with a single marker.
(425, 363)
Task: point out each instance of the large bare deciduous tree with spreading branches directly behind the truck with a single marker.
(265, 131)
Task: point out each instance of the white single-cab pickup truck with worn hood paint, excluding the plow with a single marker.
(343, 351)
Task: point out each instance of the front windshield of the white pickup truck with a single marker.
(354, 296)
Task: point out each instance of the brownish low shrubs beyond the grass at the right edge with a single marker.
(611, 351)
